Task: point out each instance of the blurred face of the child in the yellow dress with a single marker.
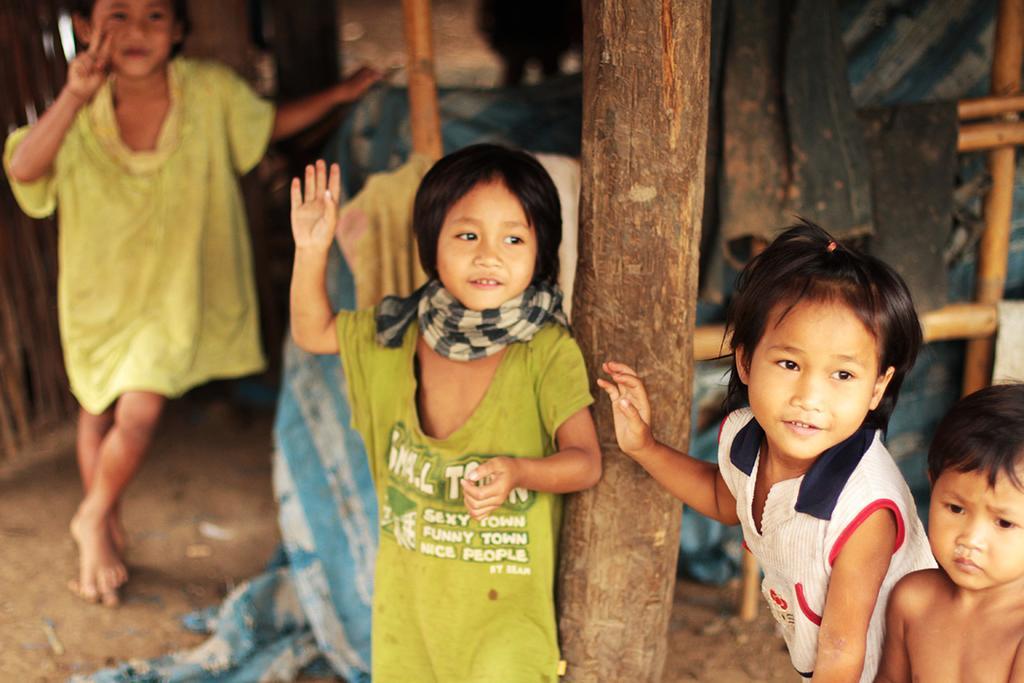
(144, 33)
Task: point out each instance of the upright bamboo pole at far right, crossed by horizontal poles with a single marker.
(995, 247)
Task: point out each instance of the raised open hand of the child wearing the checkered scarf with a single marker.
(315, 210)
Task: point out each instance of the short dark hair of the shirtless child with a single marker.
(985, 432)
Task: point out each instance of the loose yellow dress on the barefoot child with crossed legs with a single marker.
(156, 287)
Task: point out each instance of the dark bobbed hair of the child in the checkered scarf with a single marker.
(452, 178)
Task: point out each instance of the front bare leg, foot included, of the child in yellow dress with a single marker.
(121, 453)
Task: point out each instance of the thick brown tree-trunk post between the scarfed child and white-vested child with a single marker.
(645, 131)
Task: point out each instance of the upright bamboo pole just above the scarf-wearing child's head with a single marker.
(423, 111)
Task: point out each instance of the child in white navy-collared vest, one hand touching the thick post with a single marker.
(822, 339)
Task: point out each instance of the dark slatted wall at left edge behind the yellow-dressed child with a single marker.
(34, 394)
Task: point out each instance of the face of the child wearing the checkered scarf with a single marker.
(487, 249)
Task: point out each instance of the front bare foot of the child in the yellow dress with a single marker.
(101, 570)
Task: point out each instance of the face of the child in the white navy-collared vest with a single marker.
(812, 380)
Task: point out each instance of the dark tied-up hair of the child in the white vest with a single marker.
(806, 265)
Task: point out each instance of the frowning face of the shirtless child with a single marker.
(977, 531)
